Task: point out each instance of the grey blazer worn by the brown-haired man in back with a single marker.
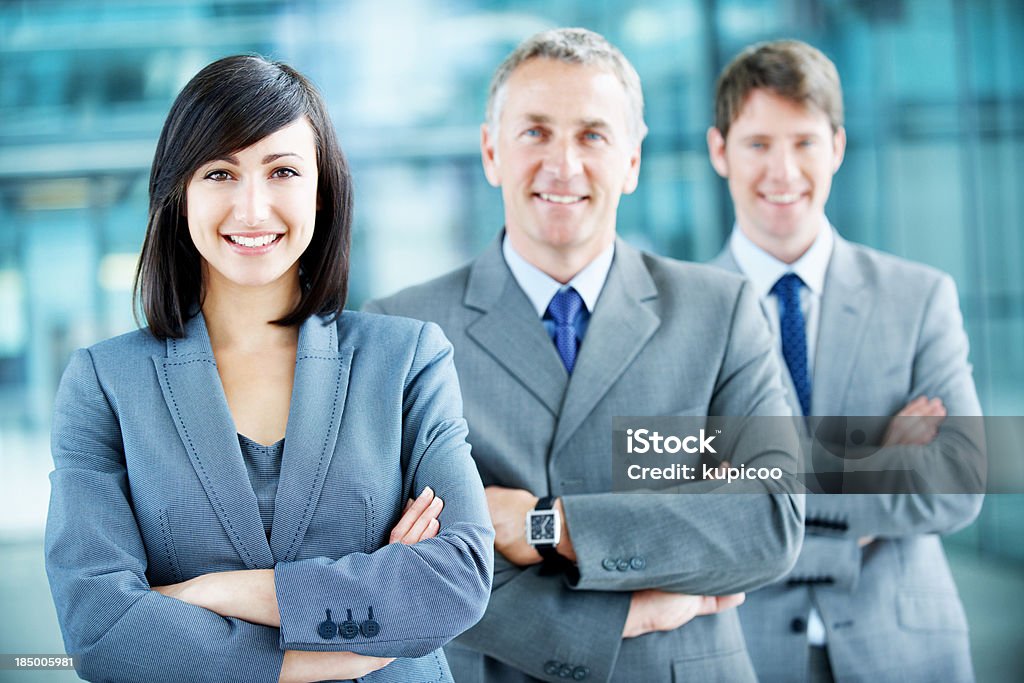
(890, 331)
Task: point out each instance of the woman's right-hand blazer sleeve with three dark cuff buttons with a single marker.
(423, 595)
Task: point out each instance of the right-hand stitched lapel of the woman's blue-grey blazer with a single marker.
(322, 372)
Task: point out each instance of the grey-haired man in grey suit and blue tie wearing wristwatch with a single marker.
(560, 327)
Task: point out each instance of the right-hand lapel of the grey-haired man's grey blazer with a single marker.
(619, 329)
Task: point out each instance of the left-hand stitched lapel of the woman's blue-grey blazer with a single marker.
(196, 400)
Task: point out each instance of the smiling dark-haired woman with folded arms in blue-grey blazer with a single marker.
(231, 485)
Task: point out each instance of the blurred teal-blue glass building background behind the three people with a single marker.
(934, 173)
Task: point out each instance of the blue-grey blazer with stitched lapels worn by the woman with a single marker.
(150, 489)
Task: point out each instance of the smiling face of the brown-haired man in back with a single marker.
(780, 159)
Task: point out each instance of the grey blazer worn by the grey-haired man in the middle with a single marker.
(666, 338)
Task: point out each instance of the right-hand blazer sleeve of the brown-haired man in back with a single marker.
(955, 459)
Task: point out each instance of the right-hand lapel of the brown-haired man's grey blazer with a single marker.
(845, 305)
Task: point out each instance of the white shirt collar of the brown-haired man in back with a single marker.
(763, 270)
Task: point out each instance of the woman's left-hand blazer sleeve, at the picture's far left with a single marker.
(112, 623)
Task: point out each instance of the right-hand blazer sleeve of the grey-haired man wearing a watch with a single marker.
(704, 544)
